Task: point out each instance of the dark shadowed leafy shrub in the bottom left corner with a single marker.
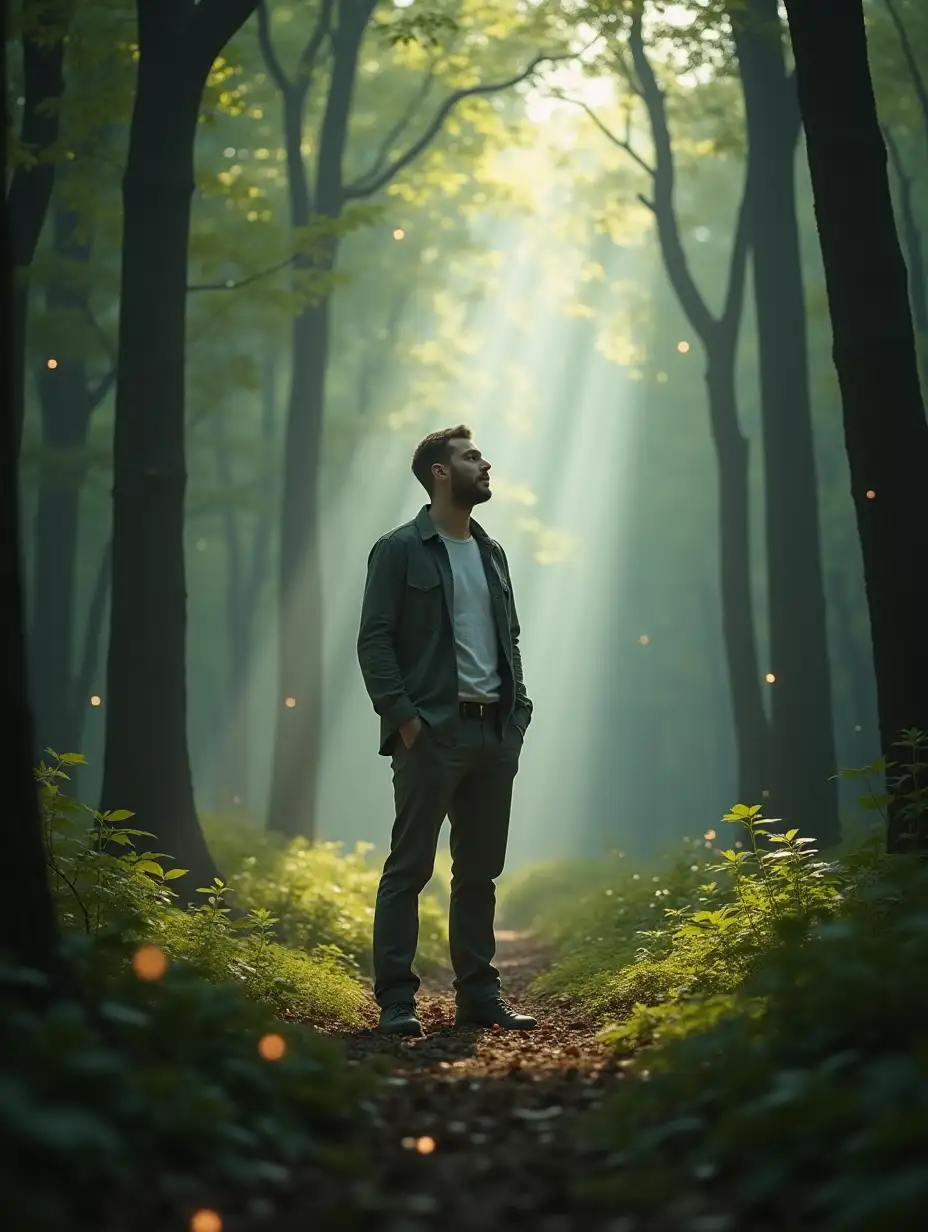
(158, 1101)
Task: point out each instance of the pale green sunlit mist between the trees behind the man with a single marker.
(511, 279)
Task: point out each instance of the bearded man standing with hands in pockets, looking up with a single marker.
(439, 654)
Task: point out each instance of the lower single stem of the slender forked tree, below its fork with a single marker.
(733, 459)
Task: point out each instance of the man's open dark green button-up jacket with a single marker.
(406, 645)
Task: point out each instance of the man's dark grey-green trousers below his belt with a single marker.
(471, 784)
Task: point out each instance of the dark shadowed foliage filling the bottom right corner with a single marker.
(805, 1095)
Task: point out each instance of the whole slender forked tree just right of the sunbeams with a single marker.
(719, 337)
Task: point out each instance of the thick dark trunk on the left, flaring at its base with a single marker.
(147, 762)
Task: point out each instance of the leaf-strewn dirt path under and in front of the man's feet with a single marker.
(476, 1130)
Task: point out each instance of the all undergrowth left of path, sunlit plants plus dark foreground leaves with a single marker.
(182, 1080)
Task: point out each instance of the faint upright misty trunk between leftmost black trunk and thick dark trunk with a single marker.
(66, 419)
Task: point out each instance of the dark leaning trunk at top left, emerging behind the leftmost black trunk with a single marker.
(45, 33)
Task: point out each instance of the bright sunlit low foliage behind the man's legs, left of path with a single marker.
(321, 898)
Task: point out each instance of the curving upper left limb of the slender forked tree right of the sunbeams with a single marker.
(669, 231)
